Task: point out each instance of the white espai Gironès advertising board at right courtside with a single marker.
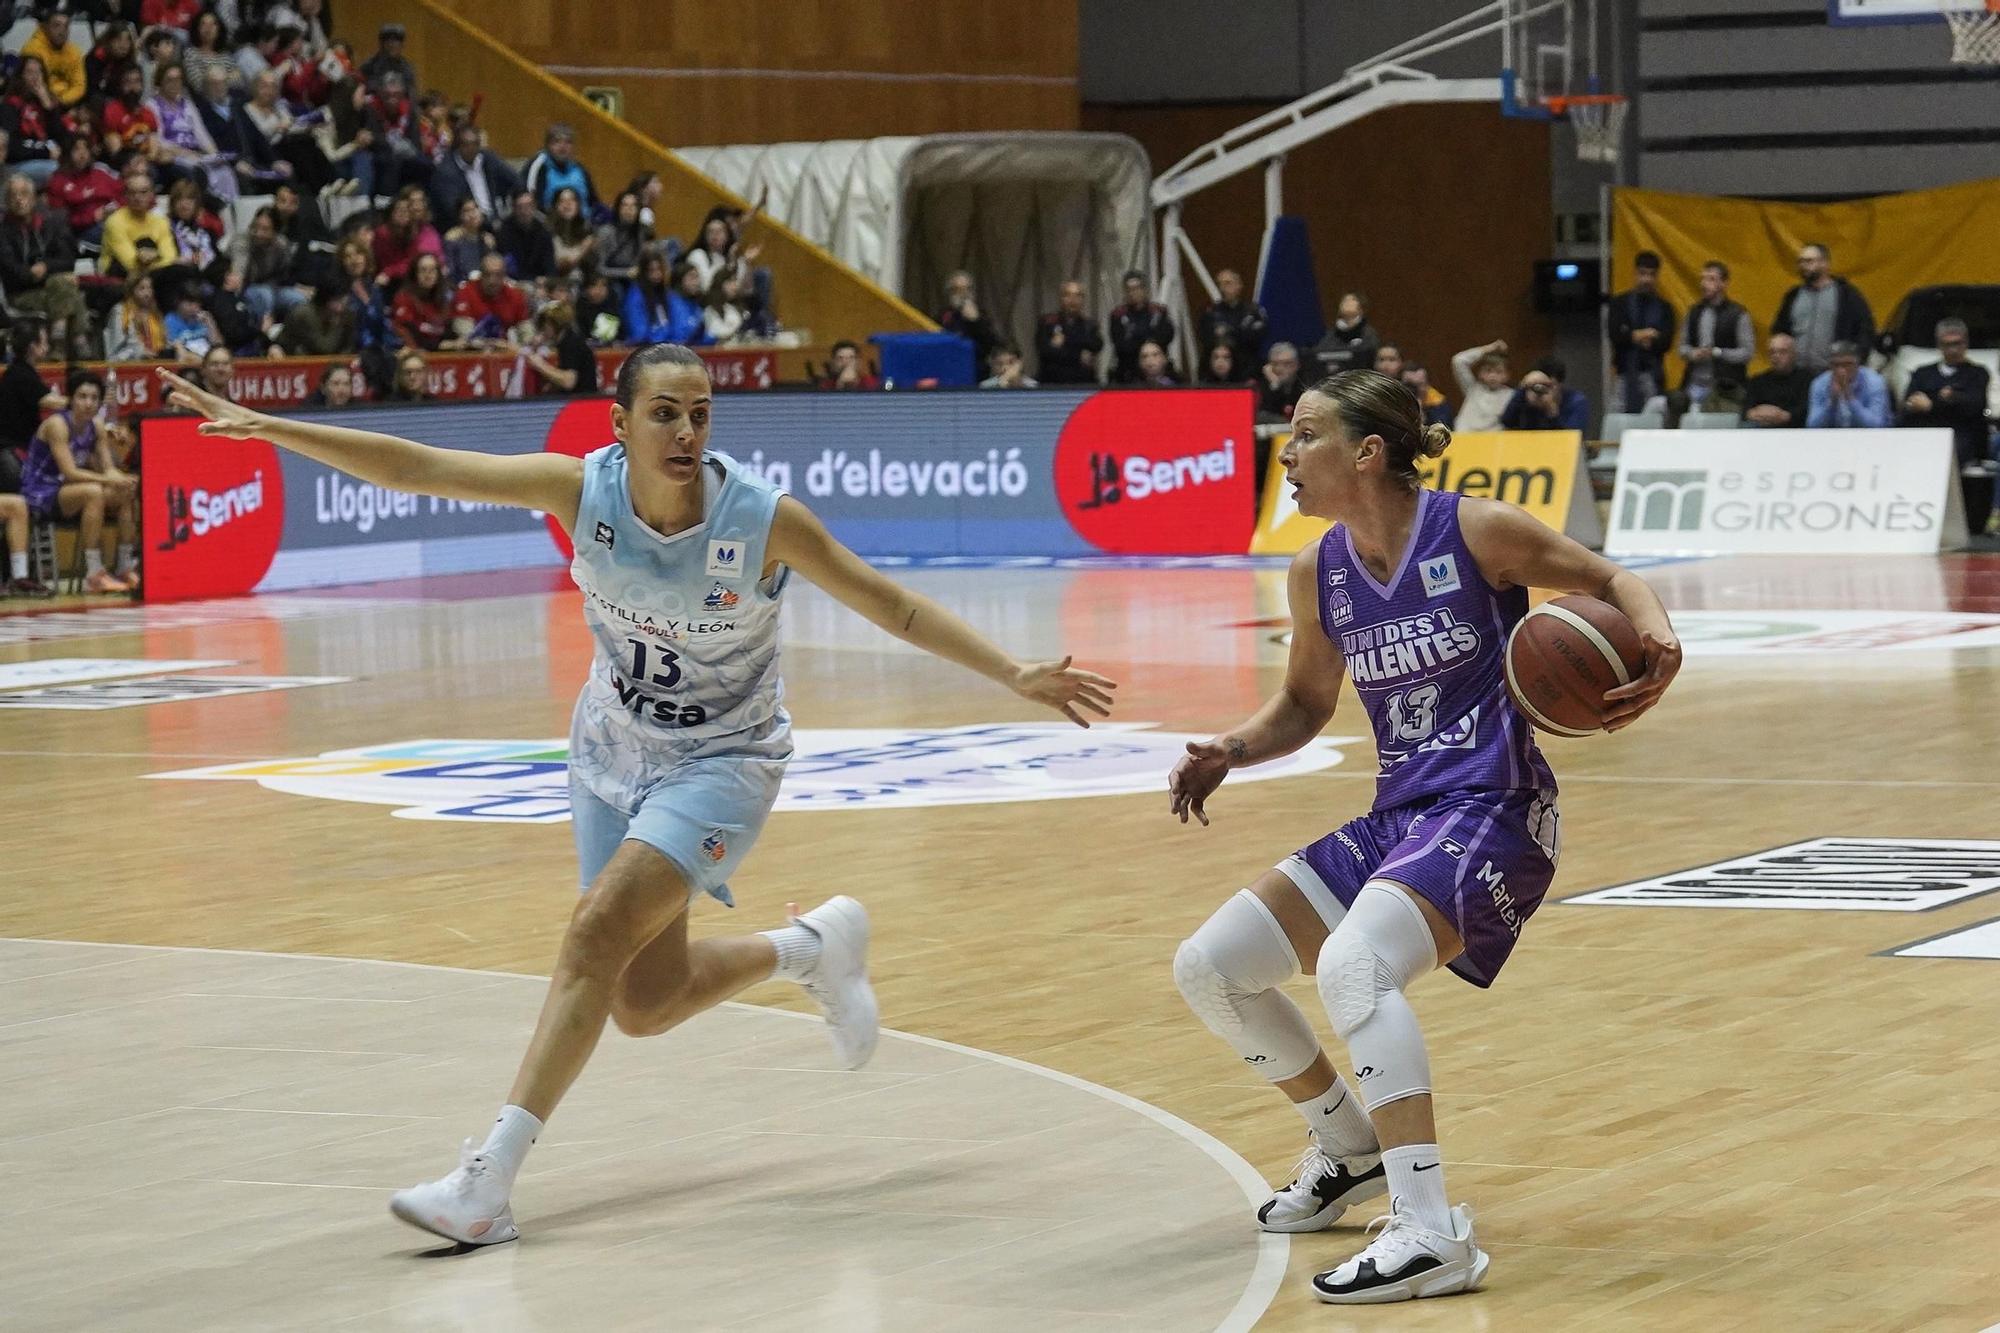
(1787, 493)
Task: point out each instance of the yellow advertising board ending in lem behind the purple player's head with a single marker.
(1535, 469)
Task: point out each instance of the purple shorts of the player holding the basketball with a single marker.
(1481, 858)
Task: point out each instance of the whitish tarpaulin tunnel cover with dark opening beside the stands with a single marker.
(1023, 213)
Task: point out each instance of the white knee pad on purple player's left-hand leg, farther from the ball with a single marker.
(1231, 970)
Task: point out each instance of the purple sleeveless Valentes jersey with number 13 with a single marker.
(1425, 653)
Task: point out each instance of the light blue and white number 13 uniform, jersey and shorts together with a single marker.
(681, 736)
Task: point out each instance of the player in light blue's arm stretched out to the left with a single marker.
(551, 483)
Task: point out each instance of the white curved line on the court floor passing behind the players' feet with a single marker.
(1273, 1248)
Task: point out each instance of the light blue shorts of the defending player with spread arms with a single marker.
(703, 814)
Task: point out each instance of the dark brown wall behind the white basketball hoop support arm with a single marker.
(1437, 213)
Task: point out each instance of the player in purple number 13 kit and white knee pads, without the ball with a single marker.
(1413, 595)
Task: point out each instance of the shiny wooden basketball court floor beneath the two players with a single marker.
(1667, 1118)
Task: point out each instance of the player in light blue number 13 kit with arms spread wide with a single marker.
(679, 738)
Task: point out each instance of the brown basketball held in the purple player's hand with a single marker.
(1565, 655)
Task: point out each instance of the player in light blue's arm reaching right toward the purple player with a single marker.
(799, 539)
